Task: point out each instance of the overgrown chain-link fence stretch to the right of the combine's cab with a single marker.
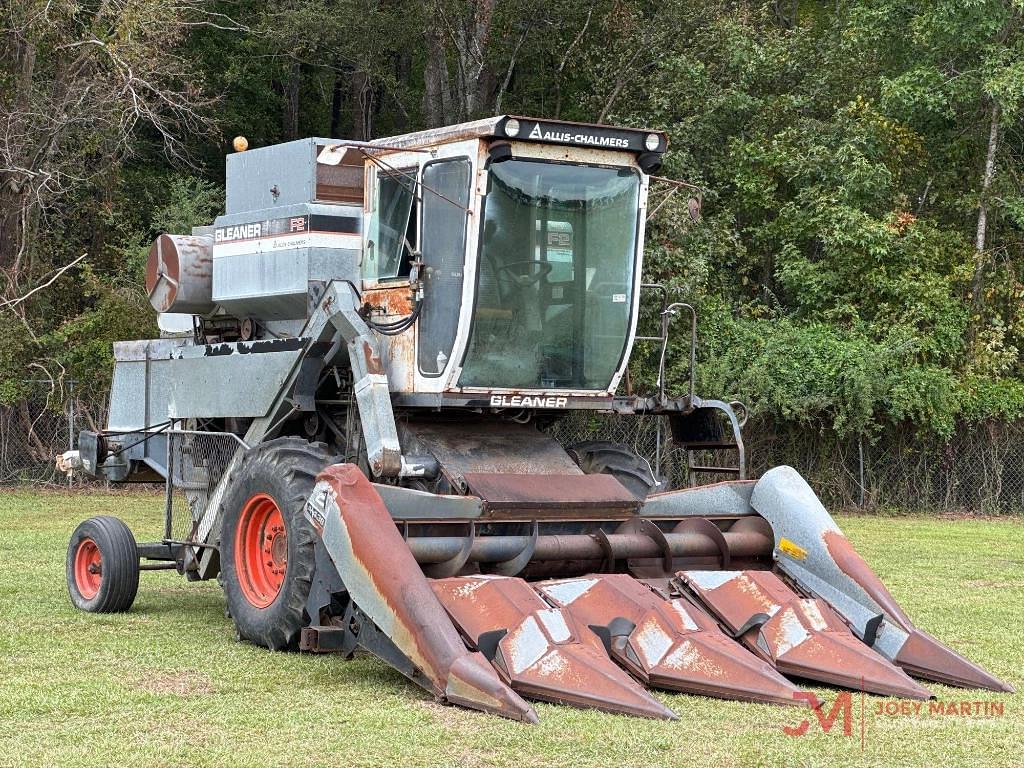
(979, 471)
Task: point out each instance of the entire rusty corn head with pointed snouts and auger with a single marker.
(661, 603)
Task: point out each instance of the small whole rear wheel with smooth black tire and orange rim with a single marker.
(103, 567)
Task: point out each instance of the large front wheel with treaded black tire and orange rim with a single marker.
(267, 544)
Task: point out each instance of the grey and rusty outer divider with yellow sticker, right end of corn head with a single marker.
(813, 551)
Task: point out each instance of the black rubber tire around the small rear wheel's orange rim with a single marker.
(120, 566)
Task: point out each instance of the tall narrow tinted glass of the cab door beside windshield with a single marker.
(443, 243)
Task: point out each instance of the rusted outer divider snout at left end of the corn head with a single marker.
(385, 581)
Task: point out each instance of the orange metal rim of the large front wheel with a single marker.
(262, 550)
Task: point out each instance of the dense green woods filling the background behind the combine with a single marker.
(864, 216)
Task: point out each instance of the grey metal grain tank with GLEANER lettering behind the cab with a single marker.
(290, 226)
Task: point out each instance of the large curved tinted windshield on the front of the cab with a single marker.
(556, 277)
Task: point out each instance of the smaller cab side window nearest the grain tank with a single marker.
(391, 224)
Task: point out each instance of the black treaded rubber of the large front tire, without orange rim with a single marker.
(286, 470)
